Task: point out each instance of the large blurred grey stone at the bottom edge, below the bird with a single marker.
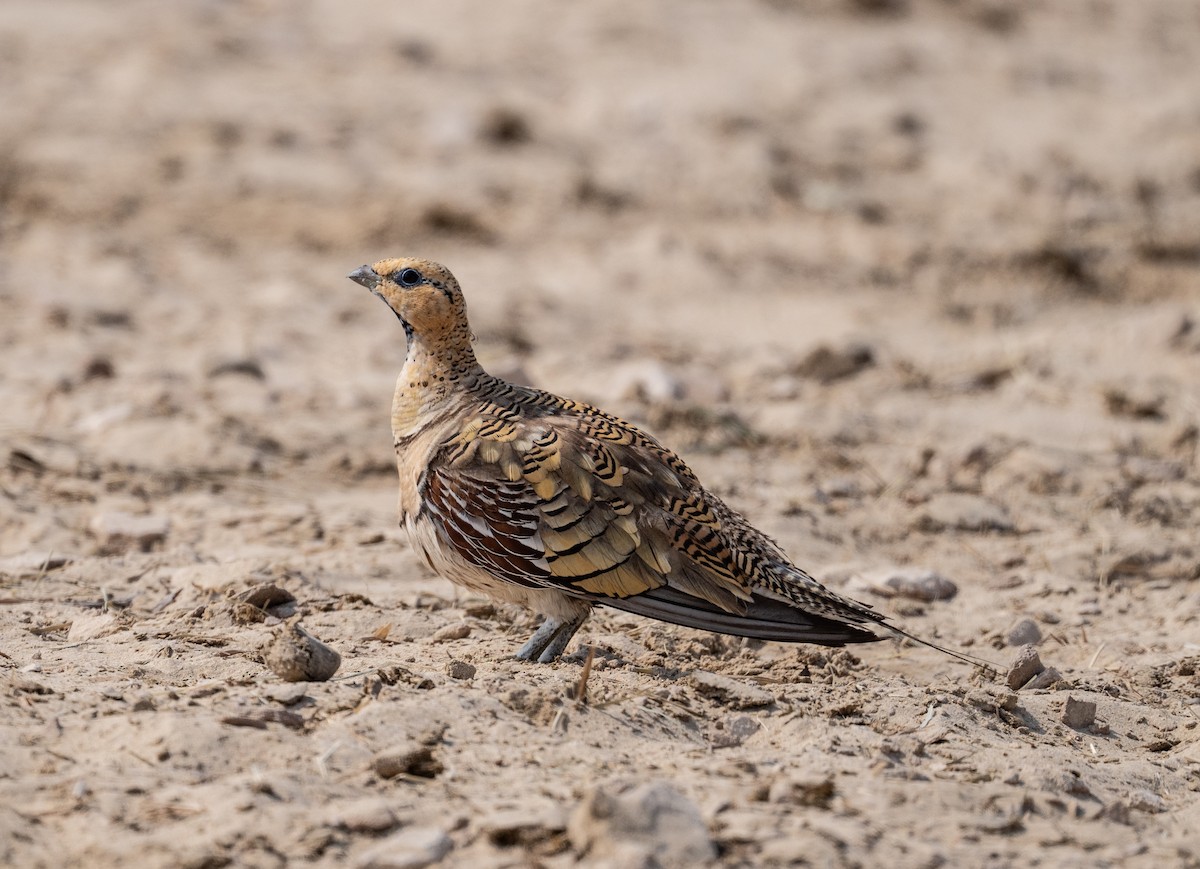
(652, 818)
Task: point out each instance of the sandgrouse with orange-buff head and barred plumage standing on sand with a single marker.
(559, 506)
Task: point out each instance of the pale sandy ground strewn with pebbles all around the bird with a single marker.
(915, 285)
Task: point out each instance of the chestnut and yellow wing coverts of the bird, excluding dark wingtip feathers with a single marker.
(543, 506)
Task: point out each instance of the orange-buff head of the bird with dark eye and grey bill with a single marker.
(424, 296)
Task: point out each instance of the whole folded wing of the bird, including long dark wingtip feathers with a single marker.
(572, 499)
